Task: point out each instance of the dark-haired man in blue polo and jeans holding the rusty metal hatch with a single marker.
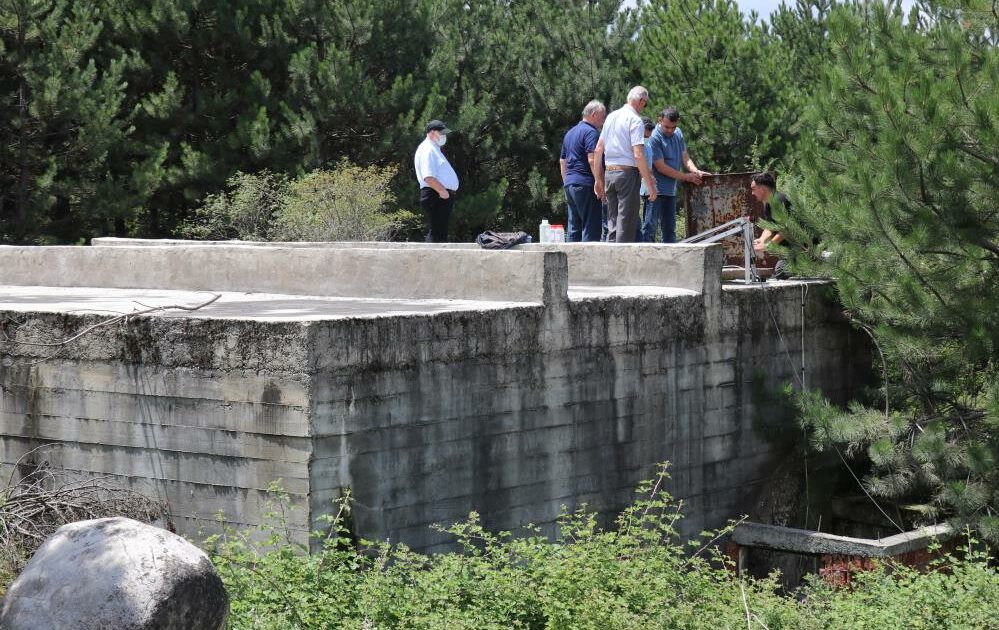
(669, 156)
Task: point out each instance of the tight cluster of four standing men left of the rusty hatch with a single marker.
(612, 162)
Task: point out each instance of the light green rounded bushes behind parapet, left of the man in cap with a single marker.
(347, 204)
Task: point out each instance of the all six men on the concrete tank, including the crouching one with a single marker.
(612, 165)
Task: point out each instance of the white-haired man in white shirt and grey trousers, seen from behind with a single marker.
(621, 149)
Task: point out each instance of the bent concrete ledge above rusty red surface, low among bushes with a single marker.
(815, 543)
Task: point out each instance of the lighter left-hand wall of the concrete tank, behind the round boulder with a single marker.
(205, 414)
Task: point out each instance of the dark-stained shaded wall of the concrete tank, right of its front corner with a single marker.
(481, 416)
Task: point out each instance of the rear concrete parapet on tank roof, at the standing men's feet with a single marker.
(693, 267)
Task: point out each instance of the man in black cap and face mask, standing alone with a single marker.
(438, 181)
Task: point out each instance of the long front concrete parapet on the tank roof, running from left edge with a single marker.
(532, 277)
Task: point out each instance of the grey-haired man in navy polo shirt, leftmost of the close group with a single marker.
(576, 164)
